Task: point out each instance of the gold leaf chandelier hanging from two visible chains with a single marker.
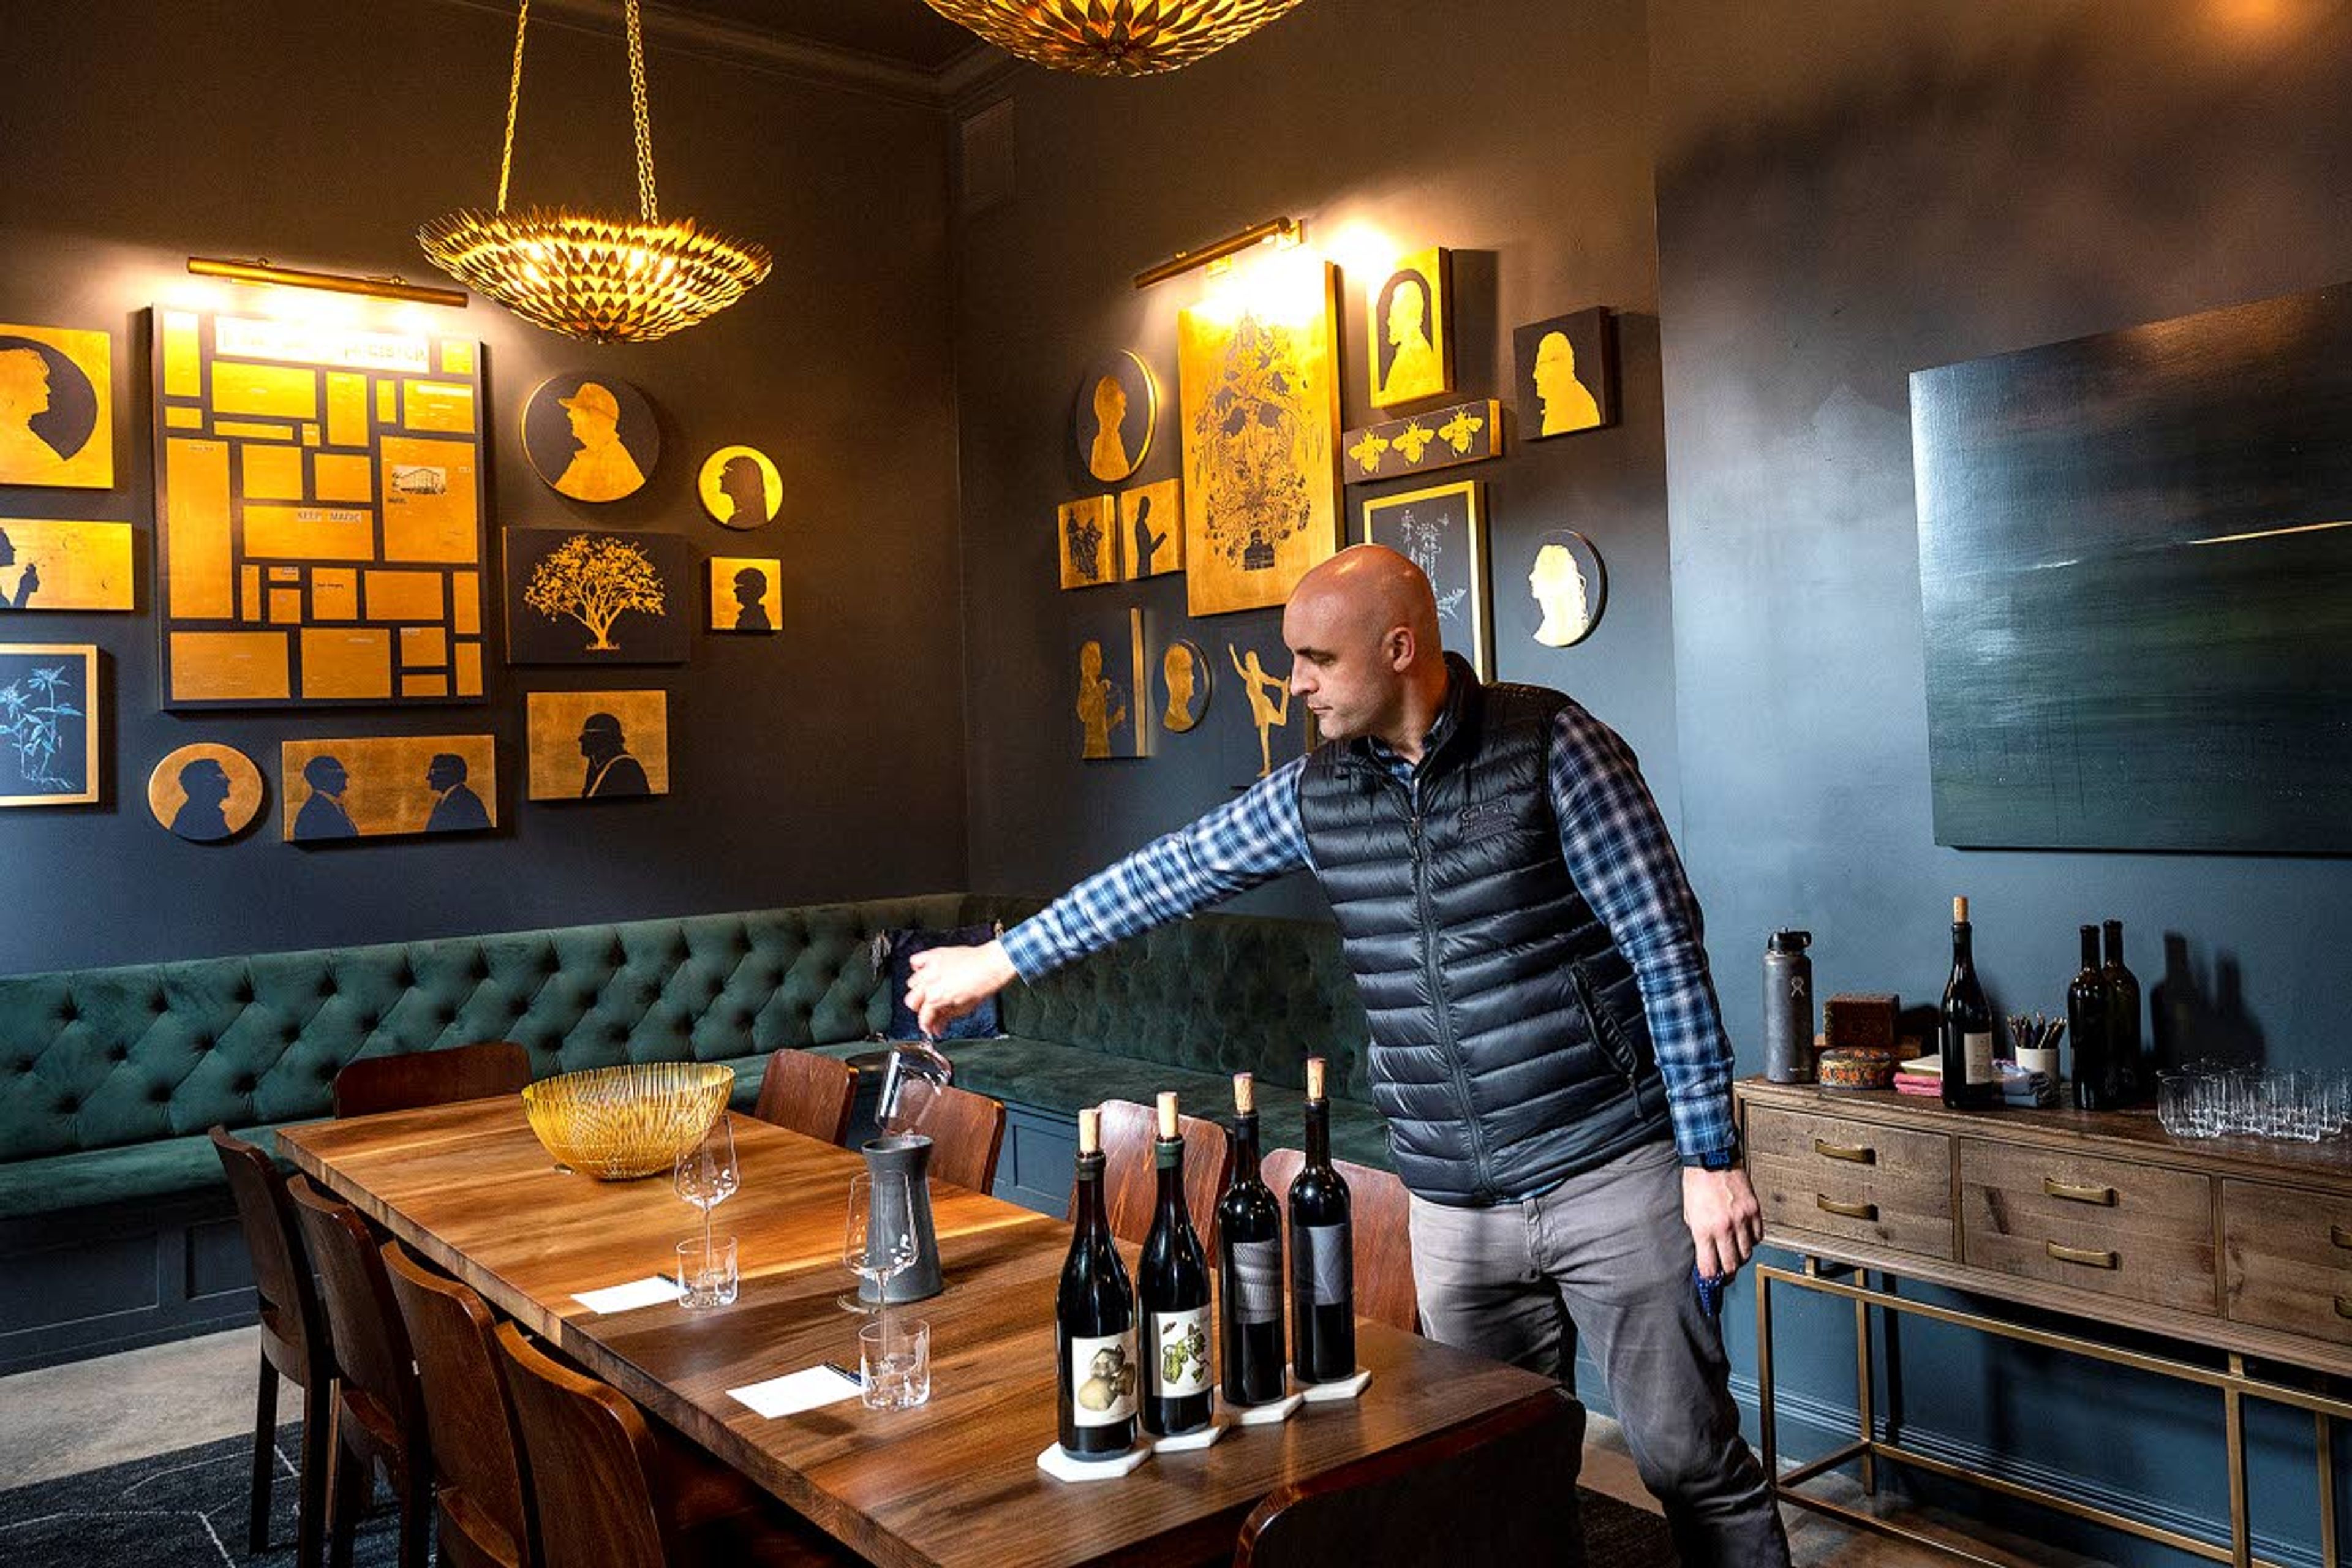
(594, 276)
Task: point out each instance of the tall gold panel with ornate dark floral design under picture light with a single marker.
(1257, 375)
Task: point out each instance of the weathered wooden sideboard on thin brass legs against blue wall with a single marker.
(2238, 1245)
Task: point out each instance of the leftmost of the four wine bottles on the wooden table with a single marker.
(1095, 1322)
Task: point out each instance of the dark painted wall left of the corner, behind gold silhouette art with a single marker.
(321, 135)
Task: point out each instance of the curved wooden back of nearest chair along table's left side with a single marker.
(592, 1461)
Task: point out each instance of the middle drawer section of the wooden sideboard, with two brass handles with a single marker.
(2104, 1226)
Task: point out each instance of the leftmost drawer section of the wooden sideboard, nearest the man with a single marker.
(1852, 1179)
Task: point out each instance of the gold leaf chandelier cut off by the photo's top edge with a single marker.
(1111, 36)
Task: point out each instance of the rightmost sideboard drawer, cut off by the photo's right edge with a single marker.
(2287, 1259)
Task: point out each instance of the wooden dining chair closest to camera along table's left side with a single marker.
(608, 1494)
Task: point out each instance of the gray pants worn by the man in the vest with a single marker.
(1608, 1257)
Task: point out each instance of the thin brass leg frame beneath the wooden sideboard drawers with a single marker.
(2233, 1383)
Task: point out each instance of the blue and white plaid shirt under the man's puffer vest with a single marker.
(1610, 836)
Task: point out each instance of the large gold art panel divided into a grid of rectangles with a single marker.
(319, 507)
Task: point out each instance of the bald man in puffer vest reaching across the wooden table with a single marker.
(1544, 1031)
